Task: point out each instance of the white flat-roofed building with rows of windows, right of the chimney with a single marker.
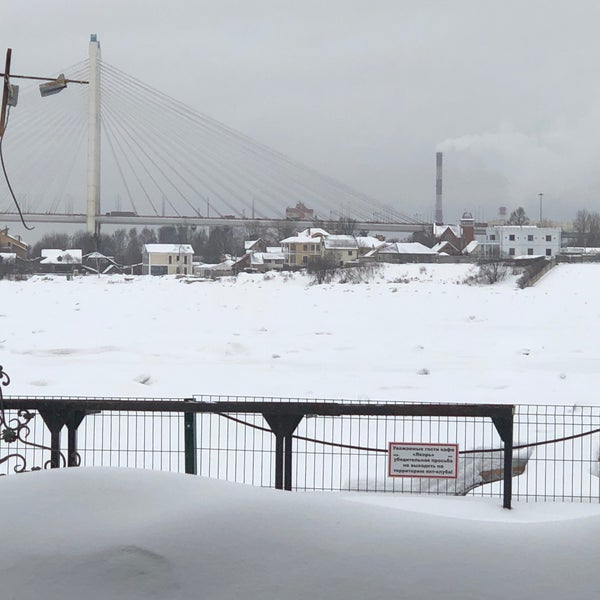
(509, 241)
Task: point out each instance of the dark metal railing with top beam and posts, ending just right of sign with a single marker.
(284, 443)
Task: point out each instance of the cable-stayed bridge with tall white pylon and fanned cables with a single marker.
(119, 152)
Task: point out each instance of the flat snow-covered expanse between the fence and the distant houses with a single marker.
(415, 333)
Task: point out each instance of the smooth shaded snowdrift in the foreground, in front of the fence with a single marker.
(95, 534)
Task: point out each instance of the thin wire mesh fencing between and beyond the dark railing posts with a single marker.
(556, 449)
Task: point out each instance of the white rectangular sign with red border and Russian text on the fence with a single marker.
(423, 460)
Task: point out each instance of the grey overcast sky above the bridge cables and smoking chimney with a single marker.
(366, 91)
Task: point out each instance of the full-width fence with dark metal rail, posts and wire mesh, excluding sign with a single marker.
(300, 444)
